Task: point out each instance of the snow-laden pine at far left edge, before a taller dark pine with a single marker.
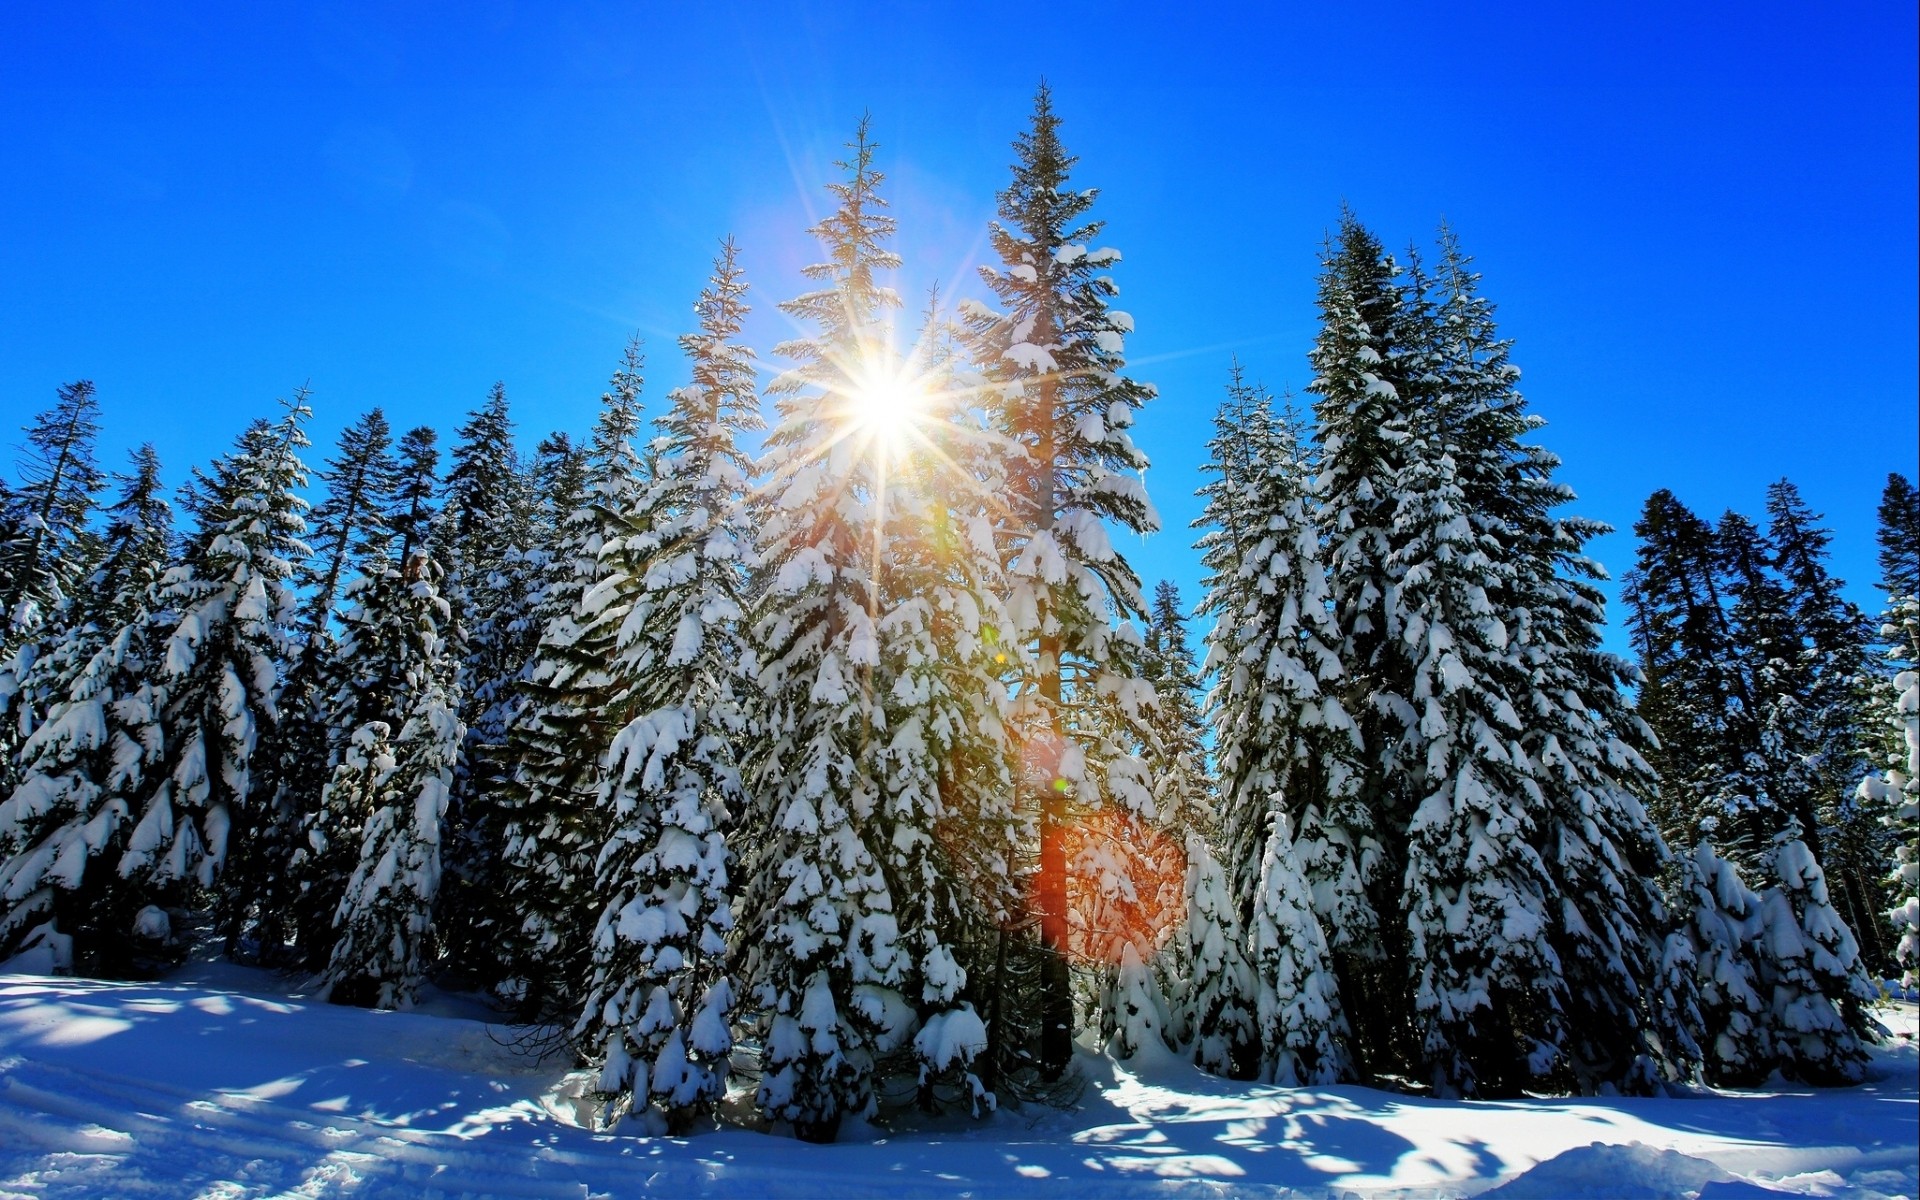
(60, 836)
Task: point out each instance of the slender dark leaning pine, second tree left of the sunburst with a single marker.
(573, 702)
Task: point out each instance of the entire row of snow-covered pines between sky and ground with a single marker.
(876, 752)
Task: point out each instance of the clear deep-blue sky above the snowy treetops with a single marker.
(1700, 226)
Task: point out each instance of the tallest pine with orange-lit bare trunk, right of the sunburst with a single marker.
(1055, 381)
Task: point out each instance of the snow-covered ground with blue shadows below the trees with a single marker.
(218, 1086)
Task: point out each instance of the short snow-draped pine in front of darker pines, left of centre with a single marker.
(385, 923)
